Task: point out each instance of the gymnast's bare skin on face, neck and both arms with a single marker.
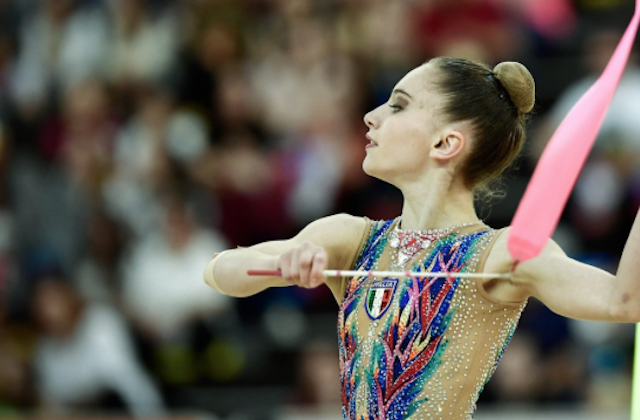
(412, 146)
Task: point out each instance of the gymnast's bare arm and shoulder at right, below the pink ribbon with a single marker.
(577, 290)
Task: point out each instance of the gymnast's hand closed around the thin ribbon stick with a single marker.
(303, 265)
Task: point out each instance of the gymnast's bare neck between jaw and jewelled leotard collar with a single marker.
(443, 204)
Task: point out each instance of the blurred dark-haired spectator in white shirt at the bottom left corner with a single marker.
(84, 353)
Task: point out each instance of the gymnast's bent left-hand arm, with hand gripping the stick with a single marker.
(327, 242)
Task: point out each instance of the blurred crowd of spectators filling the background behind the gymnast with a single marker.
(138, 137)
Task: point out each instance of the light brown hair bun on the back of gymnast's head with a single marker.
(518, 82)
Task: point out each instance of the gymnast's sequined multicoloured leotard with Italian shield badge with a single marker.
(420, 348)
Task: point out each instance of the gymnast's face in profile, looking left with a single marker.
(403, 131)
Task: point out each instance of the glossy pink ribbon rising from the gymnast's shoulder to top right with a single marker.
(557, 171)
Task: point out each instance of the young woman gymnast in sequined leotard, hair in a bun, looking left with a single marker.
(423, 348)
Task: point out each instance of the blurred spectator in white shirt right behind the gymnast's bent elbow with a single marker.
(163, 289)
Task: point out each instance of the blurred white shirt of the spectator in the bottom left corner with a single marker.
(98, 357)
